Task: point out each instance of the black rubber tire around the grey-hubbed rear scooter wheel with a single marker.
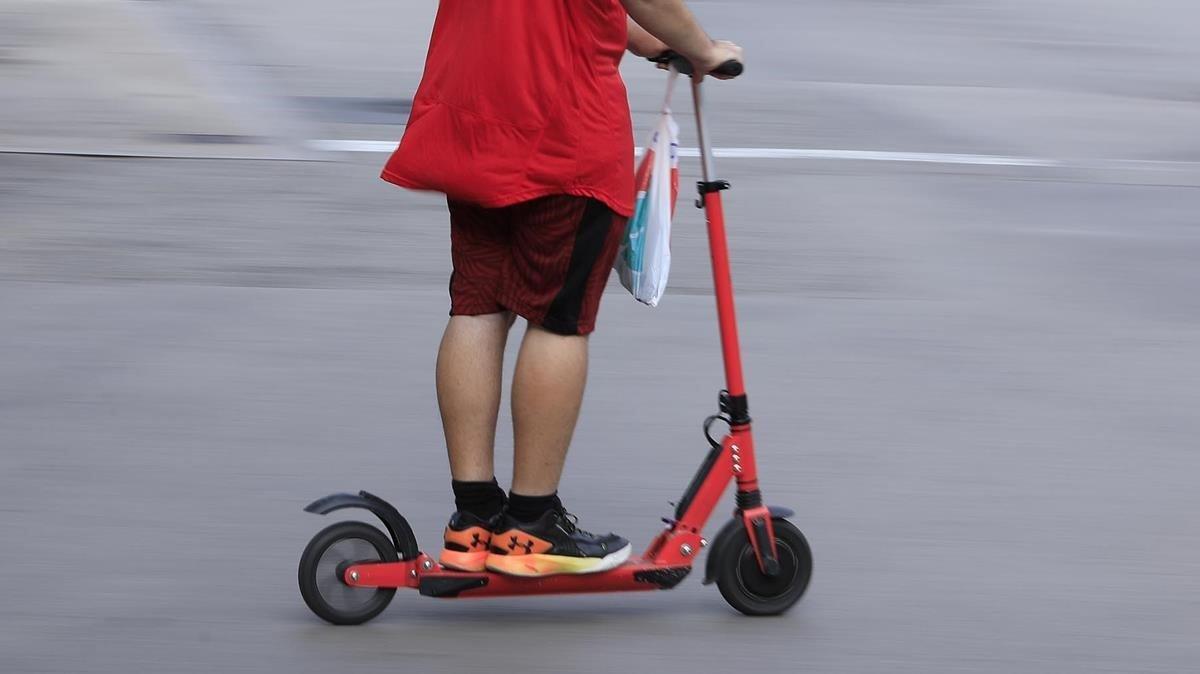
(373, 600)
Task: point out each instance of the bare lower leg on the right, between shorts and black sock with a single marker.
(548, 392)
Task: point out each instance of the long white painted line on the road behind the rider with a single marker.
(765, 154)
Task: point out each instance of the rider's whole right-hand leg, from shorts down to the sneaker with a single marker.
(563, 251)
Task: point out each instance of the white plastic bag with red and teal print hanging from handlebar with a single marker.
(644, 261)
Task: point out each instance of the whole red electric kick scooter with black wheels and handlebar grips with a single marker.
(760, 562)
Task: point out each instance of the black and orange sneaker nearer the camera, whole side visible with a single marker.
(554, 545)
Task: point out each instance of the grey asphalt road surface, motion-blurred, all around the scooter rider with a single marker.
(977, 386)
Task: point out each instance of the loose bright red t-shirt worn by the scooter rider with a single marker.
(519, 101)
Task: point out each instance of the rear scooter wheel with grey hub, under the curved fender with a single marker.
(322, 565)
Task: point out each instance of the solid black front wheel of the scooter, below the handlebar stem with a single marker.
(745, 586)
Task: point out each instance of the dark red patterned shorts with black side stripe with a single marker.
(545, 261)
